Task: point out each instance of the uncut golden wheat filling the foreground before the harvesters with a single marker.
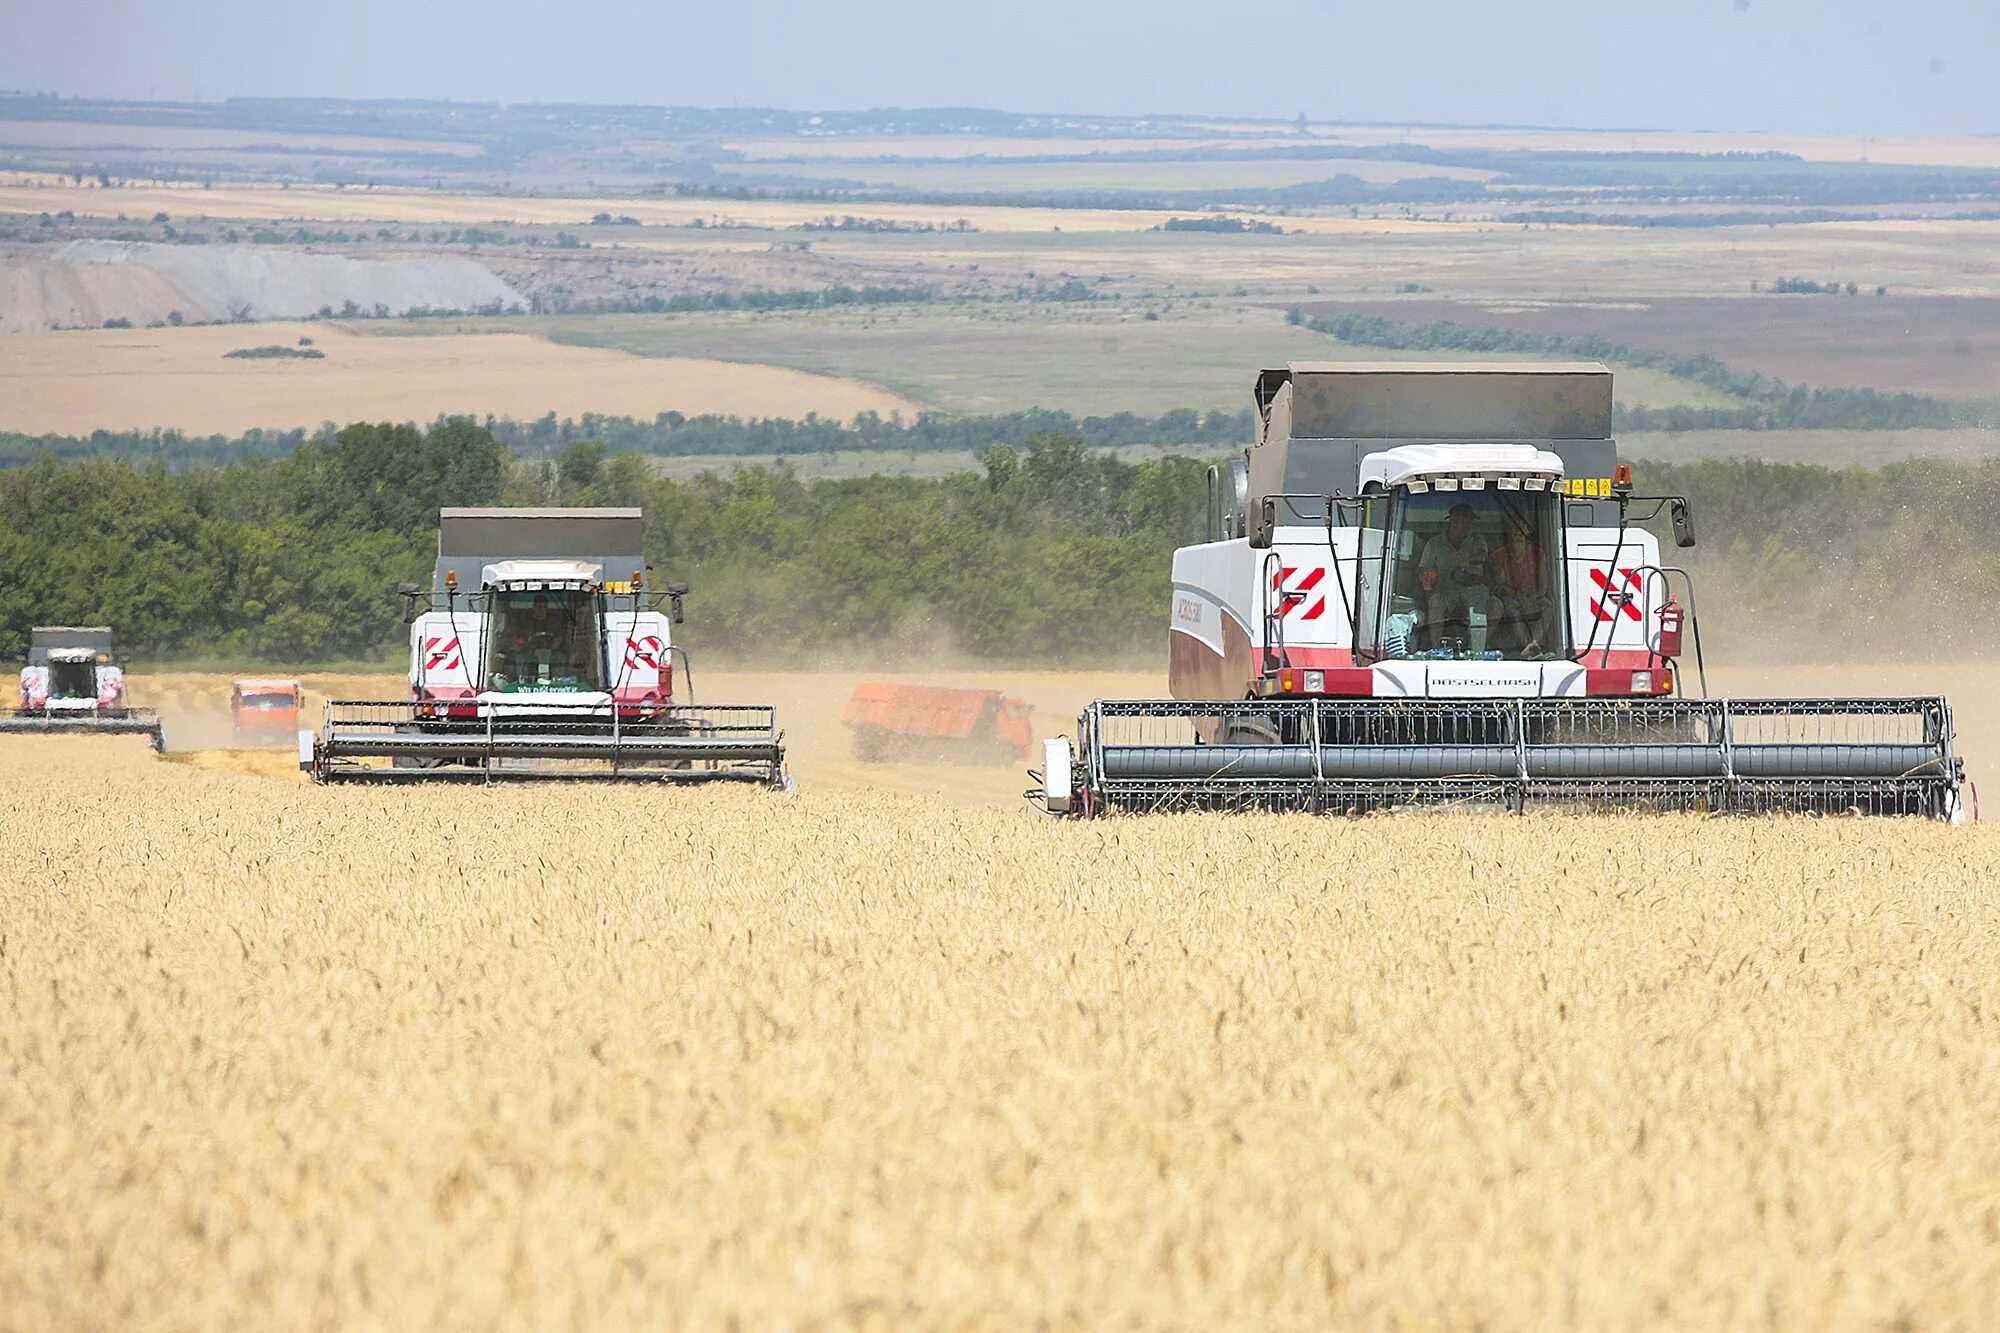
(319, 1058)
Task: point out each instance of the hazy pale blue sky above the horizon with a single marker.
(1789, 65)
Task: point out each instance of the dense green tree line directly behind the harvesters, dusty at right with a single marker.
(1045, 553)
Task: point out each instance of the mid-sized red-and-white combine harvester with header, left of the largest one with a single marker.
(539, 651)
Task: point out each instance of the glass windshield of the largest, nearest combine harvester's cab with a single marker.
(1473, 575)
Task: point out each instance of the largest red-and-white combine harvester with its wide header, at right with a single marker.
(1423, 585)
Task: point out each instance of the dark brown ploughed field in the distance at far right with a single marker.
(1929, 345)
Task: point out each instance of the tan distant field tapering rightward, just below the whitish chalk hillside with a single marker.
(75, 383)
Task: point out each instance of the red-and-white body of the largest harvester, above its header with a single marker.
(1425, 533)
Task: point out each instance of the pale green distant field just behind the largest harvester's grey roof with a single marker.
(1003, 359)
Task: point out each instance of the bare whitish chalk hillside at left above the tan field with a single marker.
(85, 283)
